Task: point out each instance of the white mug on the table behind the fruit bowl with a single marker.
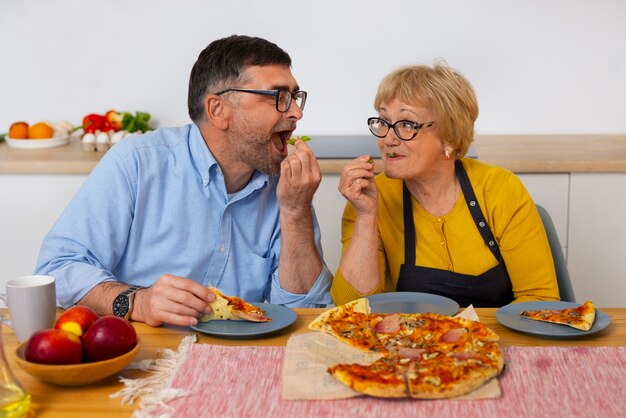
(32, 304)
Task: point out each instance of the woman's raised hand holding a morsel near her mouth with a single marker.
(357, 185)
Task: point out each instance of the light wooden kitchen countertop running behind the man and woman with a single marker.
(518, 153)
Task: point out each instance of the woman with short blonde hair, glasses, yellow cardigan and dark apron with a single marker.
(436, 222)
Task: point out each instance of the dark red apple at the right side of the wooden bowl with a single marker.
(108, 337)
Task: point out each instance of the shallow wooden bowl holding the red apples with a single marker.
(74, 374)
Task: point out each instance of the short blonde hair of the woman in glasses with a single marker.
(444, 91)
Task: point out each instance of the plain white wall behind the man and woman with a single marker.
(538, 66)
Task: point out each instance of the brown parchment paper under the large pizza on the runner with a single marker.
(309, 355)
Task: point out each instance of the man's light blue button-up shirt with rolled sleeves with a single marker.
(157, 204)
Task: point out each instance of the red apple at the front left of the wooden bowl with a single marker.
(54, 346)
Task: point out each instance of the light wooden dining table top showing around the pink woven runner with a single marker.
(93, 401)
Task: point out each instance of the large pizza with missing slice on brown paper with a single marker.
(425, 356)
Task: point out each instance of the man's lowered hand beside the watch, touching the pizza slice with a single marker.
(172, 300)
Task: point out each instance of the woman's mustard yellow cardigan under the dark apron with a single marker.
(452, 242)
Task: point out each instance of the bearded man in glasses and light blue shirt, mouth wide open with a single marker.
(217, 202)
